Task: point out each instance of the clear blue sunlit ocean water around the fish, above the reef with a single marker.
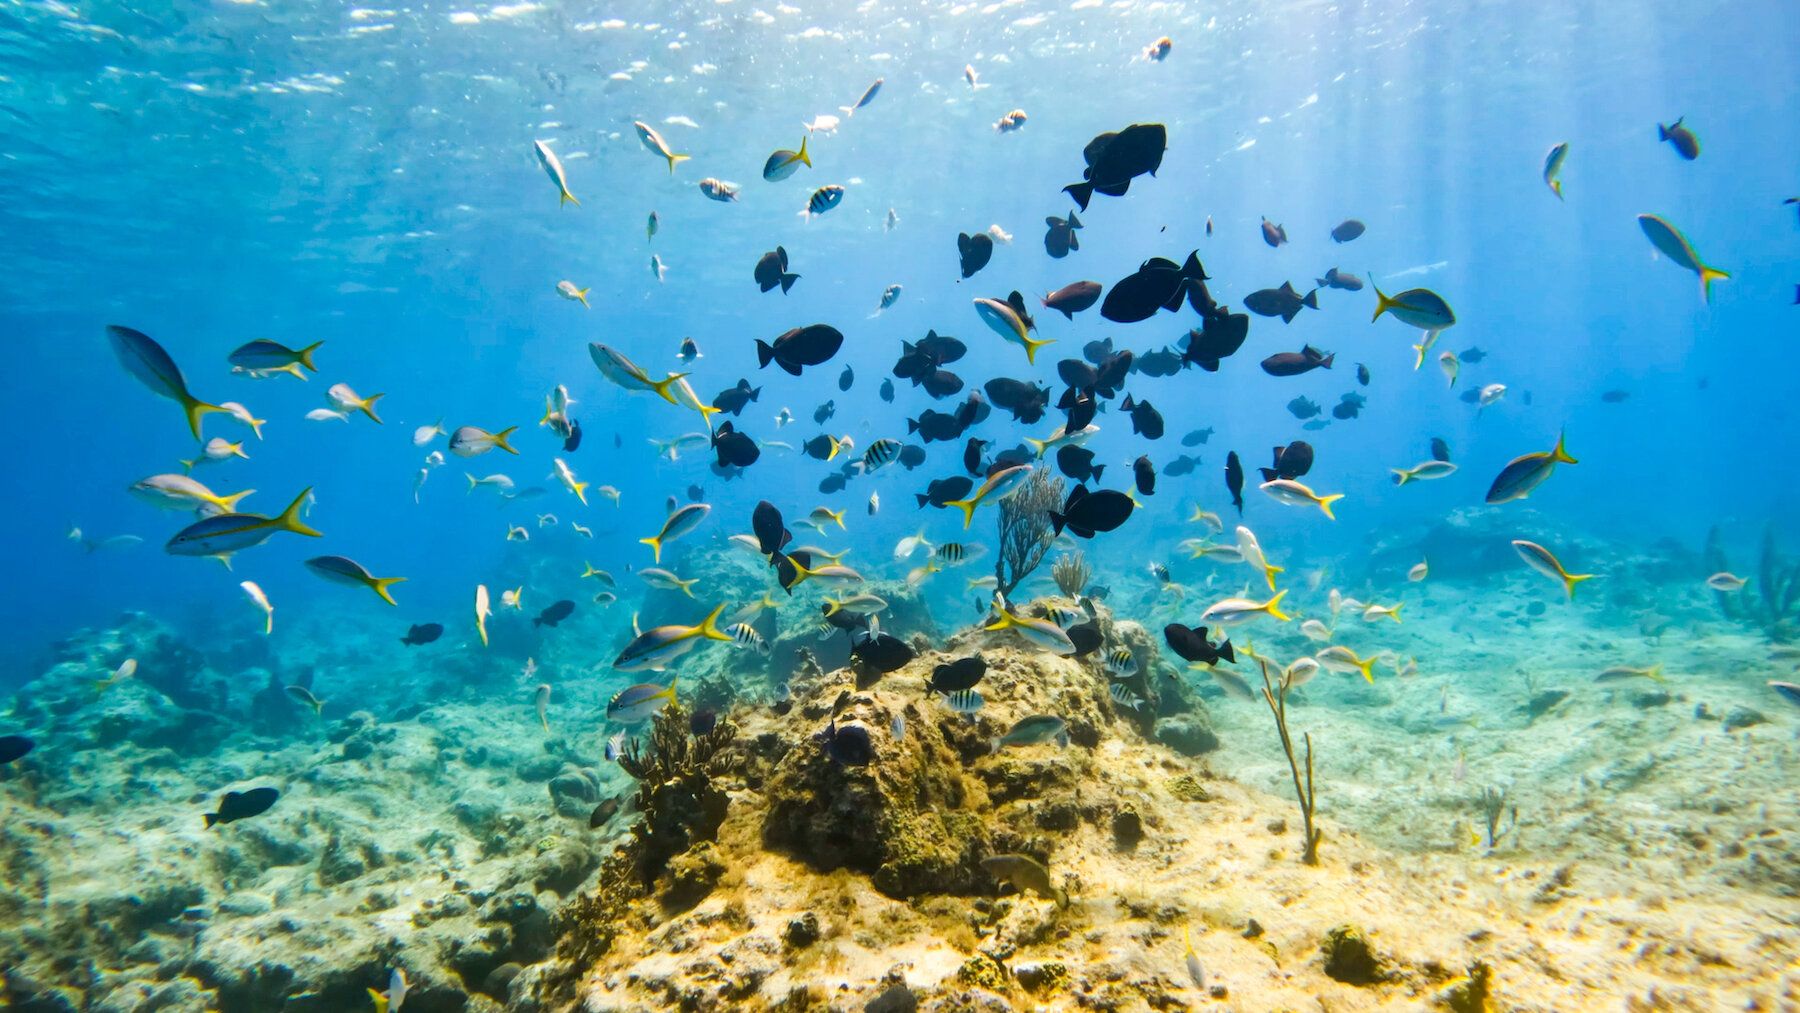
(213, 174)
